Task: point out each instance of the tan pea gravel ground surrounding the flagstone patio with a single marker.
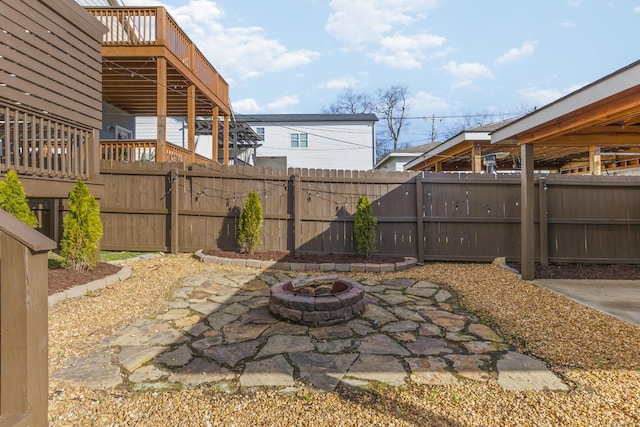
(594, 353)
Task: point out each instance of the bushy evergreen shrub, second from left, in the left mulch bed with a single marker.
(82, 230)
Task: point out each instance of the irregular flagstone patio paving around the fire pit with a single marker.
(216, 329)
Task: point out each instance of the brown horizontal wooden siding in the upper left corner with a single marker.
(51, 52)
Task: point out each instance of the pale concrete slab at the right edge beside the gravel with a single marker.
(618, 298)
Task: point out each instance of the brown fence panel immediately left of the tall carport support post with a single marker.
(471, 217)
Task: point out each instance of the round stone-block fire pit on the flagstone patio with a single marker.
(317, 301)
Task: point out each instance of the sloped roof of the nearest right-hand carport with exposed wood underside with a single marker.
(596, 125)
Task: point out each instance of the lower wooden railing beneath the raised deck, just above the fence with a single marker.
(141, 150)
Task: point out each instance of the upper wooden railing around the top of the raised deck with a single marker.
(153, 26)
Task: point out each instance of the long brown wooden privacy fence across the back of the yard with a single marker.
(432, 216)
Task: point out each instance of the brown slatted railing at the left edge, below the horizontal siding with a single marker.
(34, 144)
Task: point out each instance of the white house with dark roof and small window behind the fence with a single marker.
(315, 141)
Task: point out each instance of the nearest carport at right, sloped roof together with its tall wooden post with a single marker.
(604, 115)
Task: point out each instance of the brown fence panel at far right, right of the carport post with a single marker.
(593, 219)
